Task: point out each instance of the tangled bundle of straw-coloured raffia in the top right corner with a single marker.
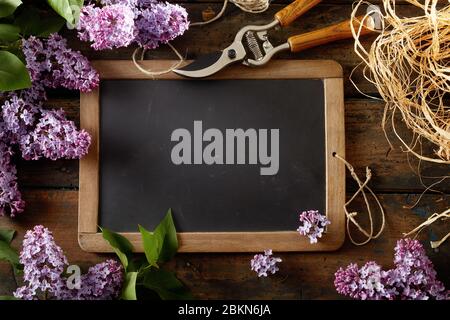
(409, 64)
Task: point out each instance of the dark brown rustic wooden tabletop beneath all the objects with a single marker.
(50, 187)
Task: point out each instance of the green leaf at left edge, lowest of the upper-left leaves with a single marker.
(13, 73)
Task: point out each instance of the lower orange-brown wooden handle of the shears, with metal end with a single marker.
(332, 33)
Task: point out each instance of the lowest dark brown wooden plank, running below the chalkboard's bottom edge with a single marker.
(227, 276)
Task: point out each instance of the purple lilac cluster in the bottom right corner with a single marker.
(412, 278)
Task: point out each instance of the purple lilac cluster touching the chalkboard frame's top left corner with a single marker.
(52, 64)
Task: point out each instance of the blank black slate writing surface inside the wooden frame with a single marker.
(139, 182)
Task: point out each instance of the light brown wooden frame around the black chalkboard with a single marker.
(89, 237)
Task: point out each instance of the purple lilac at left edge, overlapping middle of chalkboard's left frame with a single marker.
(38, 133)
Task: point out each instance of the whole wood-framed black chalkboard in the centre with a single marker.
(236, 157)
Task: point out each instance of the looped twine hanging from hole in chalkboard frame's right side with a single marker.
(351, 216)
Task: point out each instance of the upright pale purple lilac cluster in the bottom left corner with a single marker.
(43, 261)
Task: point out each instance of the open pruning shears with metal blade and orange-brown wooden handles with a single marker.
(252, 47)
